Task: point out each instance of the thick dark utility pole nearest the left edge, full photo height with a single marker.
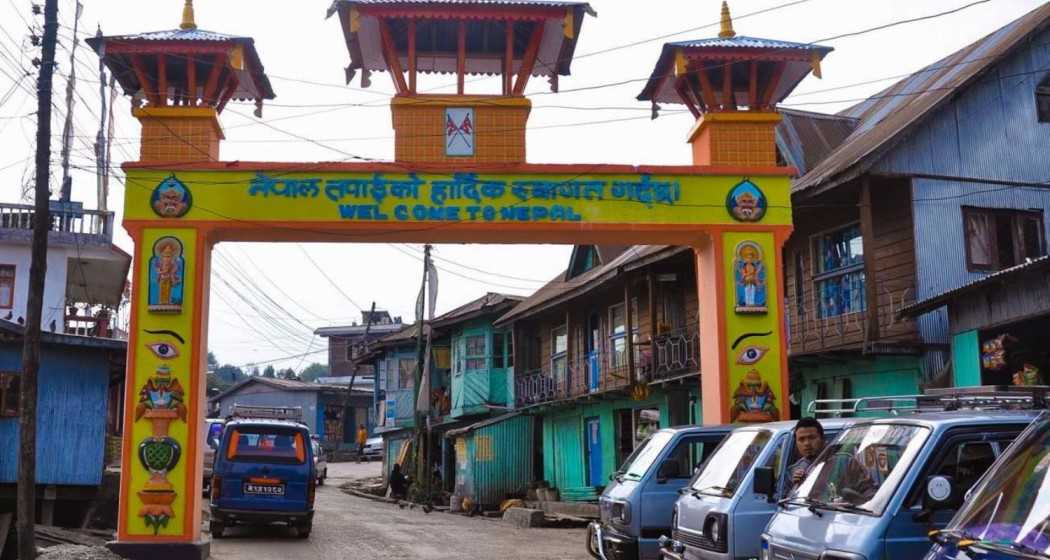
(38, 268)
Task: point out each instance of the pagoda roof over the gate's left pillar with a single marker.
(119, 52)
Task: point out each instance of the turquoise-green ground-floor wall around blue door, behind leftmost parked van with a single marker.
(563, 438)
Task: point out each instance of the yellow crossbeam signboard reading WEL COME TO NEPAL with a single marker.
(277, 196)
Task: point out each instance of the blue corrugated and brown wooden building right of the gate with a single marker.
(929, 185)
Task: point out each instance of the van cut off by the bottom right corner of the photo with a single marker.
(1005, 514)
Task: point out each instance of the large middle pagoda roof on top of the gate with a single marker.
(436, 34)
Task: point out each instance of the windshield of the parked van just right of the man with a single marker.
(860, 471)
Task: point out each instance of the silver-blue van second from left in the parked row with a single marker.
(726, 507)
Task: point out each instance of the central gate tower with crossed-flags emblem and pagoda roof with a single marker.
(513, 39)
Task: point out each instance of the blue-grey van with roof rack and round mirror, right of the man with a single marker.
(868, 496)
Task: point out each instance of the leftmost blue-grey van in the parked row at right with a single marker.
(636, 508)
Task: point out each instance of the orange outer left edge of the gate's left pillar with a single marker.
(130, 391)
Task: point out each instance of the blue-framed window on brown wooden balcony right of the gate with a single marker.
(839, 266)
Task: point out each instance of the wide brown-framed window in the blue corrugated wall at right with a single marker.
(1001, 239)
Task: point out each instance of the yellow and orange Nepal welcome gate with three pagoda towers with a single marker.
(459, 177)
